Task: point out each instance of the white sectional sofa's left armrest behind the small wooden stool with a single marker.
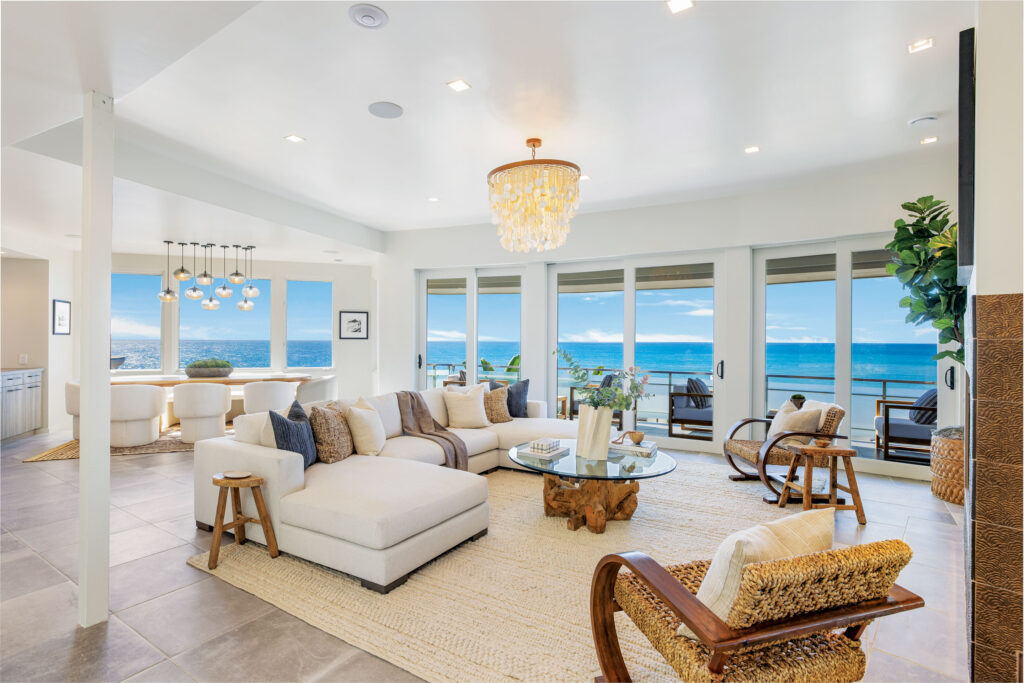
(283, 474)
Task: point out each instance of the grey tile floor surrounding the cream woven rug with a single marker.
(173, 623)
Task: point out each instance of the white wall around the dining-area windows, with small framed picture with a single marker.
(355, 289)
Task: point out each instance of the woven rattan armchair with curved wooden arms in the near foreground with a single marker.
(784, 626)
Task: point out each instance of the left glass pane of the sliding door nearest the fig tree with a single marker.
(800, 328)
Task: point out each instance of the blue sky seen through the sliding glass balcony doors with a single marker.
(796, 313)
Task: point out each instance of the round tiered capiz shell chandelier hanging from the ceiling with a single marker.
(533, 201)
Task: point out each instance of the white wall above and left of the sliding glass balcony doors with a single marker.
(833, 204)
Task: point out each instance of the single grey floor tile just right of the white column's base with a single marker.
(189, 617)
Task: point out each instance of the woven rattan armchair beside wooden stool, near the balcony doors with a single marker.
(763, 454)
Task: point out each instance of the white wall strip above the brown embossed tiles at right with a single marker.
(999, 180)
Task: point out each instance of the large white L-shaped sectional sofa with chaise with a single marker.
(375, 518)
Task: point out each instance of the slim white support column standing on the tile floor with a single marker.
(95, 317)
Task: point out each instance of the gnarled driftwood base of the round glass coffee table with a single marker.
(590, 502)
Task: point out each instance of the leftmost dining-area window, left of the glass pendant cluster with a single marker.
(136, 313)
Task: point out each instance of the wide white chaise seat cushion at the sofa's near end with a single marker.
(379, 502)
